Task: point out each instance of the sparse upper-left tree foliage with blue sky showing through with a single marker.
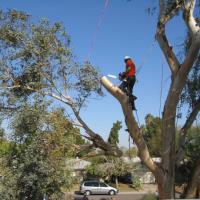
(36, 58)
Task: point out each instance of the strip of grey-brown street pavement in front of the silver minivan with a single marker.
(121, 196)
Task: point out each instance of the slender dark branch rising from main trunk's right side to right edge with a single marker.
(184, 131)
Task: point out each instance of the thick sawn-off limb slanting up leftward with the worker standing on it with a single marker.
(136, 135)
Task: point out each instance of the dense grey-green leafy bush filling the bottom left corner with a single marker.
(35, 172)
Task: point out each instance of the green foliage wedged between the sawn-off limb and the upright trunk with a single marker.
(152, 134)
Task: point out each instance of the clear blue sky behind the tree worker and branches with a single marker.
(126, 29)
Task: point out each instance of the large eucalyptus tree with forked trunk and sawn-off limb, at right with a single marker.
(180, 70)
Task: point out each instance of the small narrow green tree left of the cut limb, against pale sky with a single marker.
(114, 133)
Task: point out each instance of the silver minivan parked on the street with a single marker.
(96, 187)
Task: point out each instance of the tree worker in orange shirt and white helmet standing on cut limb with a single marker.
(128, 80)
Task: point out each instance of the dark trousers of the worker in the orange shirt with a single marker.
(127, 85)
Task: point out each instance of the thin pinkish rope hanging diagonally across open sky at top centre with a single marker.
(99, 23)
